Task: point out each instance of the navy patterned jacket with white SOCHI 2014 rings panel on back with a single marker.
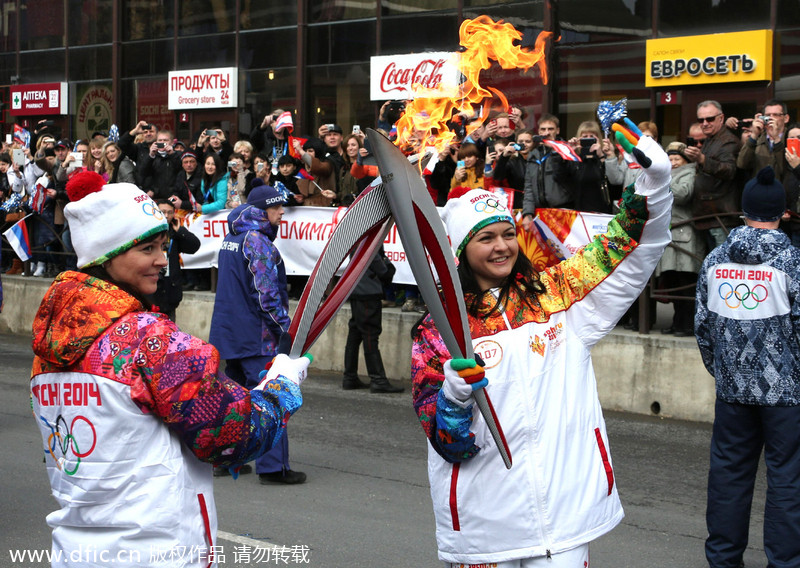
(748, 318)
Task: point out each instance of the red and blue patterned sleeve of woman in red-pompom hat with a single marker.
(176, 376)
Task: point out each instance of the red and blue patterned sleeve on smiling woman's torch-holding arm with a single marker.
(446, 425)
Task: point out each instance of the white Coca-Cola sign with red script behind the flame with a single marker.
(393, 76)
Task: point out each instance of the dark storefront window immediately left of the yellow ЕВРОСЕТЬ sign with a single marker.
(590, 74)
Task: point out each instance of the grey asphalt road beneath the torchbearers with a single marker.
(366, 502)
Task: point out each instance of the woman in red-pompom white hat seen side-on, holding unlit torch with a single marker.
(133, 412)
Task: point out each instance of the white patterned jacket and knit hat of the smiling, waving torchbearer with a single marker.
(560, 492)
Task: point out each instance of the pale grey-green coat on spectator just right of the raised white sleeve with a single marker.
(684, 235)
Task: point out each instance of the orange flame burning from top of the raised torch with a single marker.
(424, 122)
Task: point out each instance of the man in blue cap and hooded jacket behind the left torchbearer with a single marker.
(251, 308)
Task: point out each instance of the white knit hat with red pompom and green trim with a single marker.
(105, 220)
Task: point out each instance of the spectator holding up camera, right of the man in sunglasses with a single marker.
(766, 144)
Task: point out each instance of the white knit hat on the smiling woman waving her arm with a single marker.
(466, 215)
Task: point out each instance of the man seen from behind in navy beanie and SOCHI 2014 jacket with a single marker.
(747, 326)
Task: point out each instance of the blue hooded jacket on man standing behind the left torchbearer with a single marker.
(251, 308)
